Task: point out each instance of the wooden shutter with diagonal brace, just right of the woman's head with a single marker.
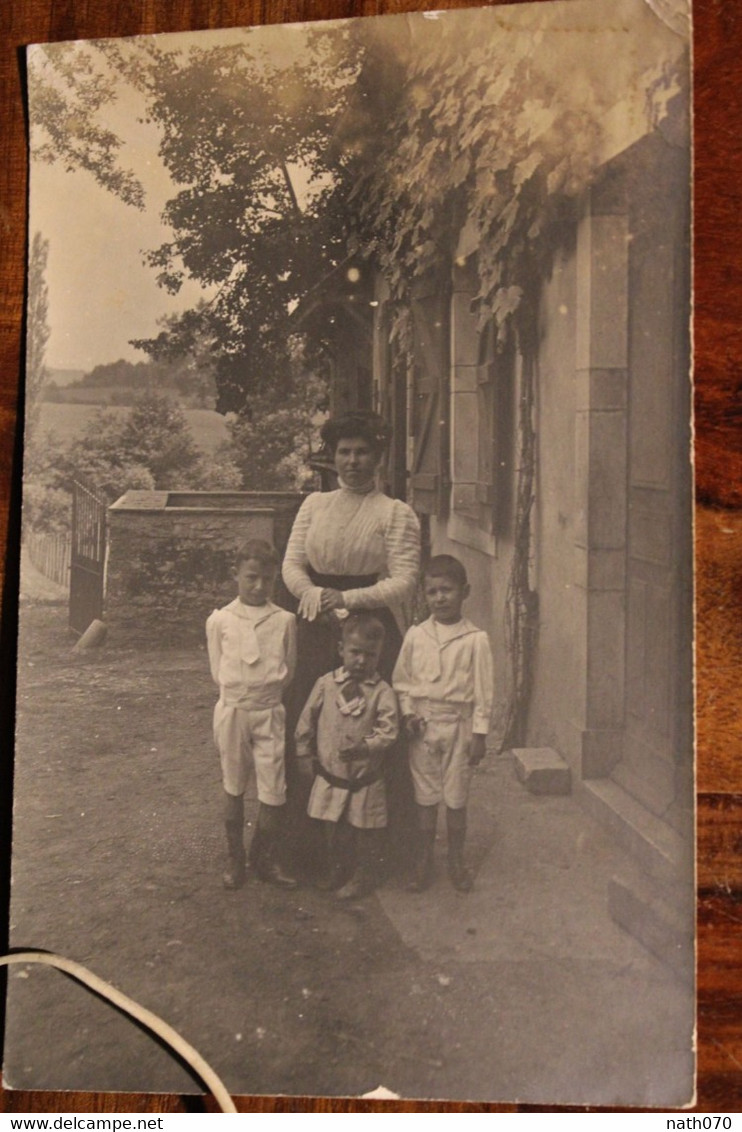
(430, 474)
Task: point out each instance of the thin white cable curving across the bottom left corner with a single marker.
(130, 1007)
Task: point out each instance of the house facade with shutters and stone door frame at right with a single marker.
(558, 469)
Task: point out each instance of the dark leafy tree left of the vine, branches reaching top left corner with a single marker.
(246, 139)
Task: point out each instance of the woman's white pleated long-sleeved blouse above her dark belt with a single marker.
(353, 533)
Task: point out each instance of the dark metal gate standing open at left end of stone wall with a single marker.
(88, 562)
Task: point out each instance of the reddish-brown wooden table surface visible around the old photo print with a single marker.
(718, 332)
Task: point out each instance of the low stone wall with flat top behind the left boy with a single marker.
(172, 554)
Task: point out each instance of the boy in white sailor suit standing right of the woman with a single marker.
(445, 682)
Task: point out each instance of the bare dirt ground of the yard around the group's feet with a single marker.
(523, 990)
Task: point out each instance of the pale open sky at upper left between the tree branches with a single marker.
(101, 293)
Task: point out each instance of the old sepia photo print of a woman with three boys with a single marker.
(355, 731)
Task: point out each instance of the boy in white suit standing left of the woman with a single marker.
(252, 654)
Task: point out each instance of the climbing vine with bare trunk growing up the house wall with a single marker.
(498, 136)
